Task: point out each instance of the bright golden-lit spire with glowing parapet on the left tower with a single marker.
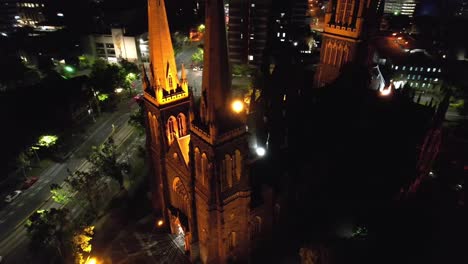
(163, 66)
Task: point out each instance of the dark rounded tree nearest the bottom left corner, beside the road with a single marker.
(50, 230)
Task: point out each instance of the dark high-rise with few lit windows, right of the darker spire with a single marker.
(247, 23)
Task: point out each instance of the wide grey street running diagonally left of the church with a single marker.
(13, 216)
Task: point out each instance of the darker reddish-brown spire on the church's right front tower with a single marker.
(216, 82)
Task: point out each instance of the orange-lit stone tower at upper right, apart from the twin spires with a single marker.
(348, 25)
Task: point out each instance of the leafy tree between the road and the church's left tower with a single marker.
(104, 158)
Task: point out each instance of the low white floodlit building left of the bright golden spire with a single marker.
(117, 46)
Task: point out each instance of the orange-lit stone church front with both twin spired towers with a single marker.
(199, 150)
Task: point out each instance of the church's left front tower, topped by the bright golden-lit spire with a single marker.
(166, 100)
